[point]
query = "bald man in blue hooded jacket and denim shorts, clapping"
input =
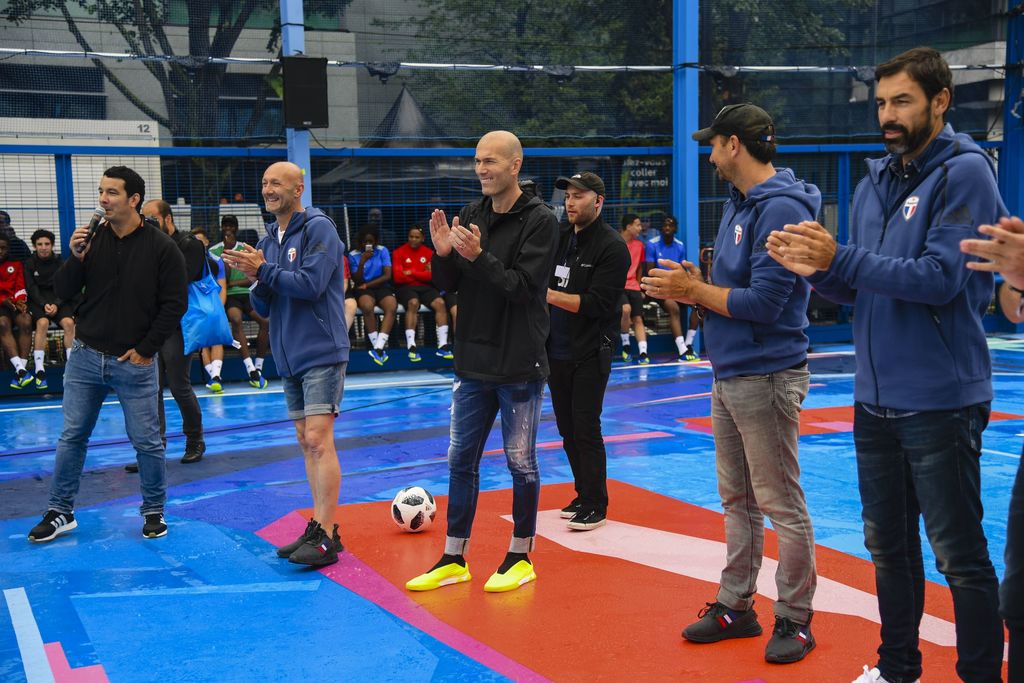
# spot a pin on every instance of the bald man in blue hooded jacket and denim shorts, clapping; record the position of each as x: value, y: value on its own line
x: 301, y: 286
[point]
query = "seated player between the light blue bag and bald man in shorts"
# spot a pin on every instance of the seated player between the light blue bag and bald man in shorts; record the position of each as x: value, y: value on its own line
x: 238, y: 307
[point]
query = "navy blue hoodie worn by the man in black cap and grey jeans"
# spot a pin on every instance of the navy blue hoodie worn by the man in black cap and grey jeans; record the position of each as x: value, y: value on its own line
x: 769, y: 305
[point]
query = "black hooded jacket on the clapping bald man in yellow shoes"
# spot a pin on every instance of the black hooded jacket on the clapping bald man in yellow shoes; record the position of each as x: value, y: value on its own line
x: 503, y: 310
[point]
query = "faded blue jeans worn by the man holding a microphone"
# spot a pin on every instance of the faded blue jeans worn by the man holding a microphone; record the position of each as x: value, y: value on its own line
x: 89, y: 376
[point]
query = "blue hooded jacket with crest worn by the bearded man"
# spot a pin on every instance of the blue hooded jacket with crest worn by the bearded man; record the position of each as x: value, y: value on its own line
x: 918, y: 311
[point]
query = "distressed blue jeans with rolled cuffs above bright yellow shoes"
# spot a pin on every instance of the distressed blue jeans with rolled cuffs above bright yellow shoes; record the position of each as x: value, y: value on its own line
x: 475, y: 406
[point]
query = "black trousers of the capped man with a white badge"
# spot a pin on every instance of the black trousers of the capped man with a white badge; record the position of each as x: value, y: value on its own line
x: 578, y: 397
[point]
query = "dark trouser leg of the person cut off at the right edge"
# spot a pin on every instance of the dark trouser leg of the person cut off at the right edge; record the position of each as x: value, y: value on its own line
x: 1012, y: 590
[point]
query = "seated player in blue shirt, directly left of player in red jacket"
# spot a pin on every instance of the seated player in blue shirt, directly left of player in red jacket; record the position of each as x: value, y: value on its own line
x: 371, y: 266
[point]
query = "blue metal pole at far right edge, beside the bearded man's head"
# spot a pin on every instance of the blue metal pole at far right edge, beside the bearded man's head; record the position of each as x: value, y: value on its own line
x: 1012, y: 155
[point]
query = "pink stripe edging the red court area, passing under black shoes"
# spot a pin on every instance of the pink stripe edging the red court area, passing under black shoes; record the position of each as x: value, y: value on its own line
x: 360, y: 578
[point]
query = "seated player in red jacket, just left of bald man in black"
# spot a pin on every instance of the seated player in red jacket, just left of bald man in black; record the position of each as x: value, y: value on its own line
x: 412, y: 277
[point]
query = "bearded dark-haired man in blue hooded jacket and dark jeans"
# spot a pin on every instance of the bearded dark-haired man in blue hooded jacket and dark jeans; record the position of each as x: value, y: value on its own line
x: 923, y: 390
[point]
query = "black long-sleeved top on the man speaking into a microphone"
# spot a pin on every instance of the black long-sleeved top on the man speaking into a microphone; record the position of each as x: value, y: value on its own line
x: 136, y: 290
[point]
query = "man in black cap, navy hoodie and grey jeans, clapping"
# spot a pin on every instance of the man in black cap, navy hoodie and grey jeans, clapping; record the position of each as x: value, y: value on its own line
x: 756, y: 313
